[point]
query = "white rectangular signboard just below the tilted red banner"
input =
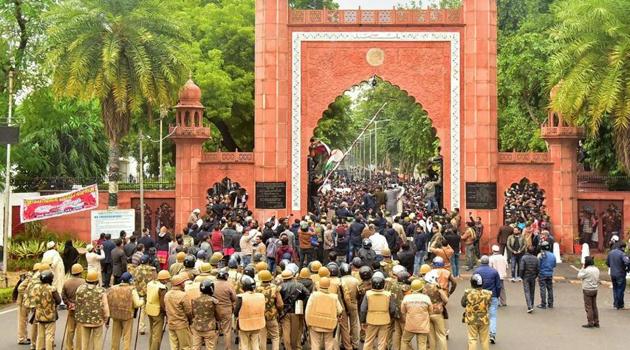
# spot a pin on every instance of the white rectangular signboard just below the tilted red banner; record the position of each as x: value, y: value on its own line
x: 112, y: 222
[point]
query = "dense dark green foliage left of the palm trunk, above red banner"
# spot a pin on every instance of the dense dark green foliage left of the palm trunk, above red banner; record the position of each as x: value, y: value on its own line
x: 60, y: 138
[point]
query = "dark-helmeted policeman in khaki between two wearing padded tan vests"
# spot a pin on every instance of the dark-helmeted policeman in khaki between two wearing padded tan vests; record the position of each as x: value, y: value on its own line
x: 349, y: 322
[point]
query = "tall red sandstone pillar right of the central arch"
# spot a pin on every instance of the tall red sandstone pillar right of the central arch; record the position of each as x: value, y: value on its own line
x: 479, y: 105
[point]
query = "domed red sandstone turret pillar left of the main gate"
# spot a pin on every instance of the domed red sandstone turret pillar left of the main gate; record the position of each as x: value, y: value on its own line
x: 188, y: 134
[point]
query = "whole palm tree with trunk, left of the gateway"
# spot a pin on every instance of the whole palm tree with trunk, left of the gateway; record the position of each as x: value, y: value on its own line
x: 124, y: 53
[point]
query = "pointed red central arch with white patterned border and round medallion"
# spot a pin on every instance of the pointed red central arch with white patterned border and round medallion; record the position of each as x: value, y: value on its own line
x: 425, y: 64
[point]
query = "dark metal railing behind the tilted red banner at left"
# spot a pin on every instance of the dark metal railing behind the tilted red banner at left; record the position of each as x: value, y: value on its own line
x: 63, y: 184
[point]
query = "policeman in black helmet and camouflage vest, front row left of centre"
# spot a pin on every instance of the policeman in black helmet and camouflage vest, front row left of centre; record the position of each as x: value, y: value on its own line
x: 204, y: 323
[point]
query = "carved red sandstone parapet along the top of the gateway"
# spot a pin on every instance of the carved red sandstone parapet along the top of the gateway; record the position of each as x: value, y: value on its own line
x: 376, y: 17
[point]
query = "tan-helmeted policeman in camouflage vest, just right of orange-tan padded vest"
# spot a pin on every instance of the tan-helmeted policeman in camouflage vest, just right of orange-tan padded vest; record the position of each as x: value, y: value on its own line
x: 273, y: 303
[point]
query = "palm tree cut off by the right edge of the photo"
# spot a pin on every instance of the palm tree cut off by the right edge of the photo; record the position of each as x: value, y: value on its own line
x: 592, y: 65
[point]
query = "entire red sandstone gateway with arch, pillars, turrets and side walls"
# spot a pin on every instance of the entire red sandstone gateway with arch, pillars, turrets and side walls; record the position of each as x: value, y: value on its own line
x: 445, y: 59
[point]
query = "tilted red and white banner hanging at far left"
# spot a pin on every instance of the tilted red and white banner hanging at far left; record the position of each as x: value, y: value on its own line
x: 45, y: 207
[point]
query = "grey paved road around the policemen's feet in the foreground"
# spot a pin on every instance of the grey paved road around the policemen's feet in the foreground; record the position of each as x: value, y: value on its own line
x: 559, y: 328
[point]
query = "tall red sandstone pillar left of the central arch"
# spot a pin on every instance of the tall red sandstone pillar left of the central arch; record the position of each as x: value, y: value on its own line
x: 272, y: 102
